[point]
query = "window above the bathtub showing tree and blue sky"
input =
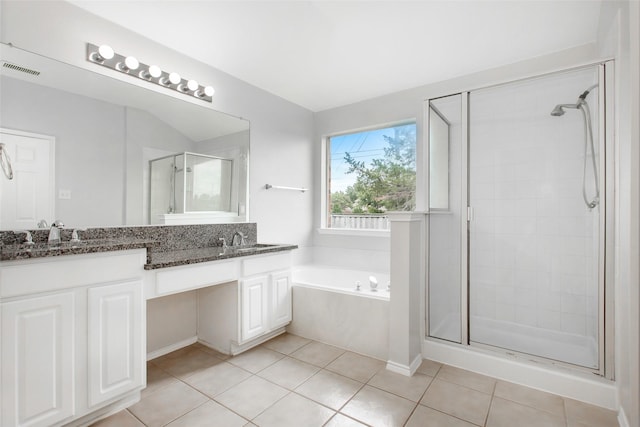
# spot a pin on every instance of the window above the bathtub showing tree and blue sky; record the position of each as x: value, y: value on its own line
x: 370, y: 173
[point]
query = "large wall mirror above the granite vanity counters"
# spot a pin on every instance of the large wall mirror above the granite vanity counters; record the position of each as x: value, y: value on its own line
x: 82, y: 145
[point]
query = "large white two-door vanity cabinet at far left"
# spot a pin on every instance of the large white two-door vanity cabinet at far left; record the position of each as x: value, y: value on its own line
x: 72, y: 337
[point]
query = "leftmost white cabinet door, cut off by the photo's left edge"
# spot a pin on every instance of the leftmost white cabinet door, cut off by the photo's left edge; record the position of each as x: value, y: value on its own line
x: 37, y: 360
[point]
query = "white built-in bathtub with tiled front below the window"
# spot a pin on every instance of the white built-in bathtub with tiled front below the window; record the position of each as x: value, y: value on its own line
x: 327, y: 307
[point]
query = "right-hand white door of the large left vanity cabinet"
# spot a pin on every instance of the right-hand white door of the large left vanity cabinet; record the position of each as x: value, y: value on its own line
x: 115, y: 339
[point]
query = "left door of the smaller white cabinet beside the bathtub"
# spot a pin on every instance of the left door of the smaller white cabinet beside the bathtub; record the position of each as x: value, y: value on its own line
x: 254, y: 306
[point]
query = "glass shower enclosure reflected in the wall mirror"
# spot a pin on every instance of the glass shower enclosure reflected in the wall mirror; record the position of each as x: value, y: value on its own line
x: 190, y: 183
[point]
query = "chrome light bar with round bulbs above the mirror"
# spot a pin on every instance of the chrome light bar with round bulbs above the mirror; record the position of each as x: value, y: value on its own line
x: 105, y: 56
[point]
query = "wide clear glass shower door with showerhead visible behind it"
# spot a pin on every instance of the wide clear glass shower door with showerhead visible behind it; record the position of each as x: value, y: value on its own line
x: 536, y: 196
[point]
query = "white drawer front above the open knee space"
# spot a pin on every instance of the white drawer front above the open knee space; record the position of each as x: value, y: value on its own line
x: 195, y: 276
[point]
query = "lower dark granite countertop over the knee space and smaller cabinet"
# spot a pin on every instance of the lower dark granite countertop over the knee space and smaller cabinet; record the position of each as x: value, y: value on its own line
x: 177, y: 257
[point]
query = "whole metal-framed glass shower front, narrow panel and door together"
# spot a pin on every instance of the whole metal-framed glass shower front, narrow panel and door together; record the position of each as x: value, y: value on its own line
x: 517, y: 230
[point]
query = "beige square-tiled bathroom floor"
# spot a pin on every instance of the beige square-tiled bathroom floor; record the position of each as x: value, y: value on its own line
x: 292, y: 381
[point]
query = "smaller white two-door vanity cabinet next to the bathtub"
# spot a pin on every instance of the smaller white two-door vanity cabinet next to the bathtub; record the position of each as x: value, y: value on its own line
x: 233, y: 318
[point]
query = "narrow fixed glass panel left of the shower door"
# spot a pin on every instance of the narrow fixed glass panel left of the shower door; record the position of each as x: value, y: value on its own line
x: 447, y: 211
